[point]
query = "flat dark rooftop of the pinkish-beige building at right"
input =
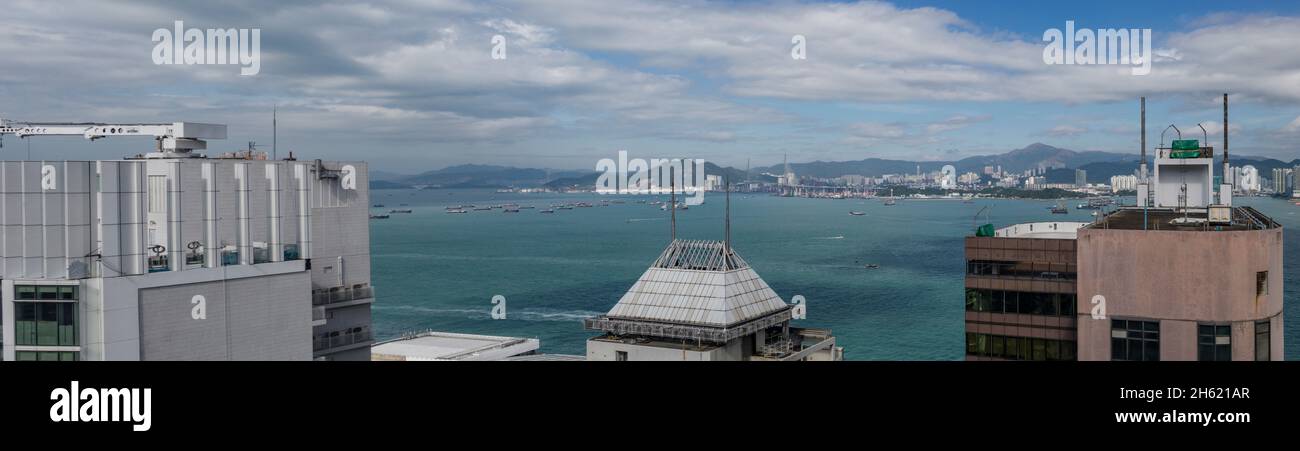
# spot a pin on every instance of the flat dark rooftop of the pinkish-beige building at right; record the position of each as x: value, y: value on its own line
x: 1186, y: 220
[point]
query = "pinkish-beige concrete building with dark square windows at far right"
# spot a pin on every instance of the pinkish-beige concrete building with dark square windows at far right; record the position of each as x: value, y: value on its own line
x: 1194, y: 292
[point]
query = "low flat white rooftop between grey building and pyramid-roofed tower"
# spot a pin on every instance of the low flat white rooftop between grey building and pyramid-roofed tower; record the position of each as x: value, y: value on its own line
x: 449, y: 346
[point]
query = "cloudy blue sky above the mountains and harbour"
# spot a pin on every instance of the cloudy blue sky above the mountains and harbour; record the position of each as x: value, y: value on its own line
x: 413, y: 85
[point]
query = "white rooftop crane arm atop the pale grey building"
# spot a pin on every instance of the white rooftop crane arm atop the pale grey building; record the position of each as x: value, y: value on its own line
x: 175, y: 140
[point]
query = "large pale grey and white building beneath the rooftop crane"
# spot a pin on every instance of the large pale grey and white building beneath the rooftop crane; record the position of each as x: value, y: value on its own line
x: 185, y: 259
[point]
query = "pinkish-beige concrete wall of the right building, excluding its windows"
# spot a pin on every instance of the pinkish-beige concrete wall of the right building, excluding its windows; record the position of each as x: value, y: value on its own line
x: 1180, y: 279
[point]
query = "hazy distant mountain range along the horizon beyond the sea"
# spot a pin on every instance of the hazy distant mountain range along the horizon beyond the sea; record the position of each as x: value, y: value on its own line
x: 1059, y: 162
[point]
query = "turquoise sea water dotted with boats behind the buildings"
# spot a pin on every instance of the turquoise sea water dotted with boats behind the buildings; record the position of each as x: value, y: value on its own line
x: 439, y: 271
